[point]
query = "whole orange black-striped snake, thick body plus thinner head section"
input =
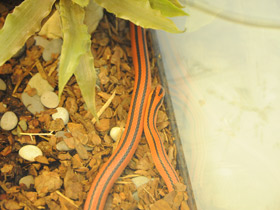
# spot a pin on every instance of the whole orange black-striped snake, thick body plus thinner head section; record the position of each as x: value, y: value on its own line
x: 141, y: 95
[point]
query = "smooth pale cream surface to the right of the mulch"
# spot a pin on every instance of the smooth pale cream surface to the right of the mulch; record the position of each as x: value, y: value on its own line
x: 224, y: 79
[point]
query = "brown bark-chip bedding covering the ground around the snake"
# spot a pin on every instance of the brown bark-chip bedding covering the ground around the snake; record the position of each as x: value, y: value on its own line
x: 63, y: 178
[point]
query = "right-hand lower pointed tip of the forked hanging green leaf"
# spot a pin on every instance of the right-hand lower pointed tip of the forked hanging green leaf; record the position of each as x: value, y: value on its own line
x: 86, y: 78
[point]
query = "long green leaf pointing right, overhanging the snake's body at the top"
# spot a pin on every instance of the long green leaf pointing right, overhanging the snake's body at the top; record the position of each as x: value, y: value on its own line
x: 139, y: 12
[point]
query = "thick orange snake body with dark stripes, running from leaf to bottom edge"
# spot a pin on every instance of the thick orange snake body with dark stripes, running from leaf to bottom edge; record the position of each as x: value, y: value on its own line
x: 112, y: 169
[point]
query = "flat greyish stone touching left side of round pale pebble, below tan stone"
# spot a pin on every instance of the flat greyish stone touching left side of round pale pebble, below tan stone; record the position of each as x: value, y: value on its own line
x: 32, y: 103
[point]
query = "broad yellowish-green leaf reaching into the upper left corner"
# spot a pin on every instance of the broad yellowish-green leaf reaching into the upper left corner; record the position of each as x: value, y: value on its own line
x: 20, y: 25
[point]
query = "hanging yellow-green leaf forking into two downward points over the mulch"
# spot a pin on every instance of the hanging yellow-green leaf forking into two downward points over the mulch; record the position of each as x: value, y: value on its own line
x: 76, y: 57
